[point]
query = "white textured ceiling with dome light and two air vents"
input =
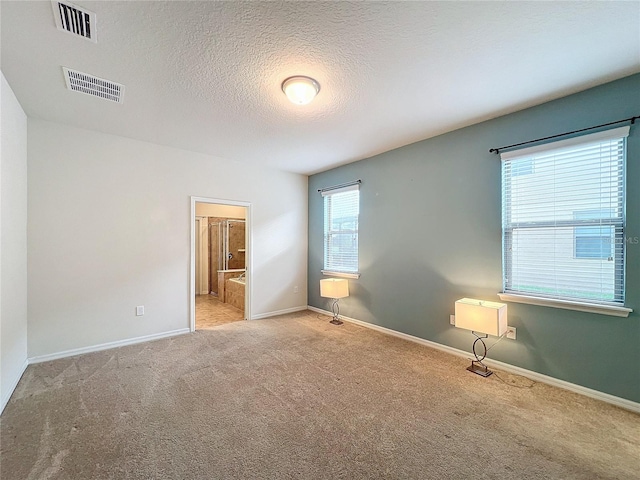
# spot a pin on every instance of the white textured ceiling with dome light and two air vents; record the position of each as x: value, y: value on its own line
x: 206, y: 76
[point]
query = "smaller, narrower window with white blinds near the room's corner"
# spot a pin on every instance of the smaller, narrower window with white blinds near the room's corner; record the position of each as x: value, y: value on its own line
x: 341, y: 209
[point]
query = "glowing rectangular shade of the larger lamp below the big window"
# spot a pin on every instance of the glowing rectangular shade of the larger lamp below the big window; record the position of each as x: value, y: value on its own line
x: 481, y: 316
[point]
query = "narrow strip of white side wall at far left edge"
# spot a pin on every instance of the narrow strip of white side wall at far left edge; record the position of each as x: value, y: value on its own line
x: 13, y: 242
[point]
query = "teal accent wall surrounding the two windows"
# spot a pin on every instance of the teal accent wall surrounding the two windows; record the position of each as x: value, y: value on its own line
x: 430, y: 233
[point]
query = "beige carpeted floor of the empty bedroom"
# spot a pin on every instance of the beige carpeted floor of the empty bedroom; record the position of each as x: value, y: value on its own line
x: 294, y: 397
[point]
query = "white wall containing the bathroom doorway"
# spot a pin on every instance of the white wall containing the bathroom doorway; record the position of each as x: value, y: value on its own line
x: 109, y: 229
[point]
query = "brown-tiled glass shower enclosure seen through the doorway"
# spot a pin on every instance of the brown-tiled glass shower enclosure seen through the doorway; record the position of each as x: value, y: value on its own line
x: 226, y: 247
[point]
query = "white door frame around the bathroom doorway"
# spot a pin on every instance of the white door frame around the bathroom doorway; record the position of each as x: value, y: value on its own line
x: 248, y: 256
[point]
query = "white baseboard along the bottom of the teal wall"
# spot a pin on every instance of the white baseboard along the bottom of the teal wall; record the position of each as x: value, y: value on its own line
x: 538, y: 377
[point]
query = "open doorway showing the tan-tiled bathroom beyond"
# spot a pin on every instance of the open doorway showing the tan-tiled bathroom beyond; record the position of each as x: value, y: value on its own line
x: 220, y: 262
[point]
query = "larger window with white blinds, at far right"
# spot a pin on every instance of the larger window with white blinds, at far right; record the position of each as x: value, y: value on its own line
x: 563, y: 219
